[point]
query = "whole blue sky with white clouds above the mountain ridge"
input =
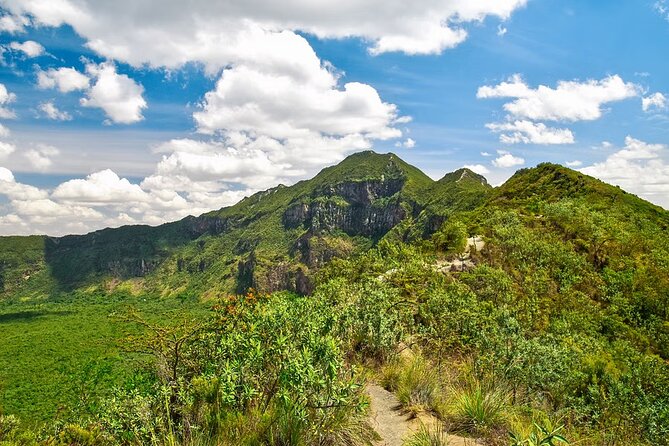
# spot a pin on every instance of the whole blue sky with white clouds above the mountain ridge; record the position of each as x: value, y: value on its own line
x: 129, y: 112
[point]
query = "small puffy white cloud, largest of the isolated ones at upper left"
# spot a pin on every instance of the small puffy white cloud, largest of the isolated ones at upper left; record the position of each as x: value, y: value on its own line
x: 119, y: 96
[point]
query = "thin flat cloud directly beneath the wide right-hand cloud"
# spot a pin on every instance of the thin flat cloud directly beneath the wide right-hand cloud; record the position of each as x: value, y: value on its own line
x: 528, y: 132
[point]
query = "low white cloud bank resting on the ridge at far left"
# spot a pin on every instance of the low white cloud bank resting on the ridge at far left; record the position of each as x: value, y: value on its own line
x: 103, y: 199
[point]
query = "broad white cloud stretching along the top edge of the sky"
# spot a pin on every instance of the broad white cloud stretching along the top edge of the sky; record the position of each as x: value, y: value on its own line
x: 206, y: 31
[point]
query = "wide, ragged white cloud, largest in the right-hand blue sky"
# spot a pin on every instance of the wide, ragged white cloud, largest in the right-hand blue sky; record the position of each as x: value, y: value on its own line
x: 569, y: 101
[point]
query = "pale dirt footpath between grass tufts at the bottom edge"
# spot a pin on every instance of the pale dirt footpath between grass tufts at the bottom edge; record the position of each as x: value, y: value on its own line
x: 394, y: 426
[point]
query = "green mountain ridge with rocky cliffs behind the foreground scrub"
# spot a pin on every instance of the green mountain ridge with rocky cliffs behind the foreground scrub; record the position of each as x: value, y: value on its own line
x: 276, y: 239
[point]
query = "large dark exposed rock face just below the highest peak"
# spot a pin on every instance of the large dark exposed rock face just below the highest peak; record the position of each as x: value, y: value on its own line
x: 367, y: 208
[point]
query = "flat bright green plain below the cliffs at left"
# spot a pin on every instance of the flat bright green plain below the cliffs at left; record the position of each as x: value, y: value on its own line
x: 61, y: 355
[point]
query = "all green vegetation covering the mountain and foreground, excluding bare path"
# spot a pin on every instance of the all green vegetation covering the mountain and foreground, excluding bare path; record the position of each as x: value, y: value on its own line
x: 262, y: 323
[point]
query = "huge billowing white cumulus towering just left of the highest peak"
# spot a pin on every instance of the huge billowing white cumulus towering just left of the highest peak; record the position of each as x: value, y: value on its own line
x: 280, y: 121
